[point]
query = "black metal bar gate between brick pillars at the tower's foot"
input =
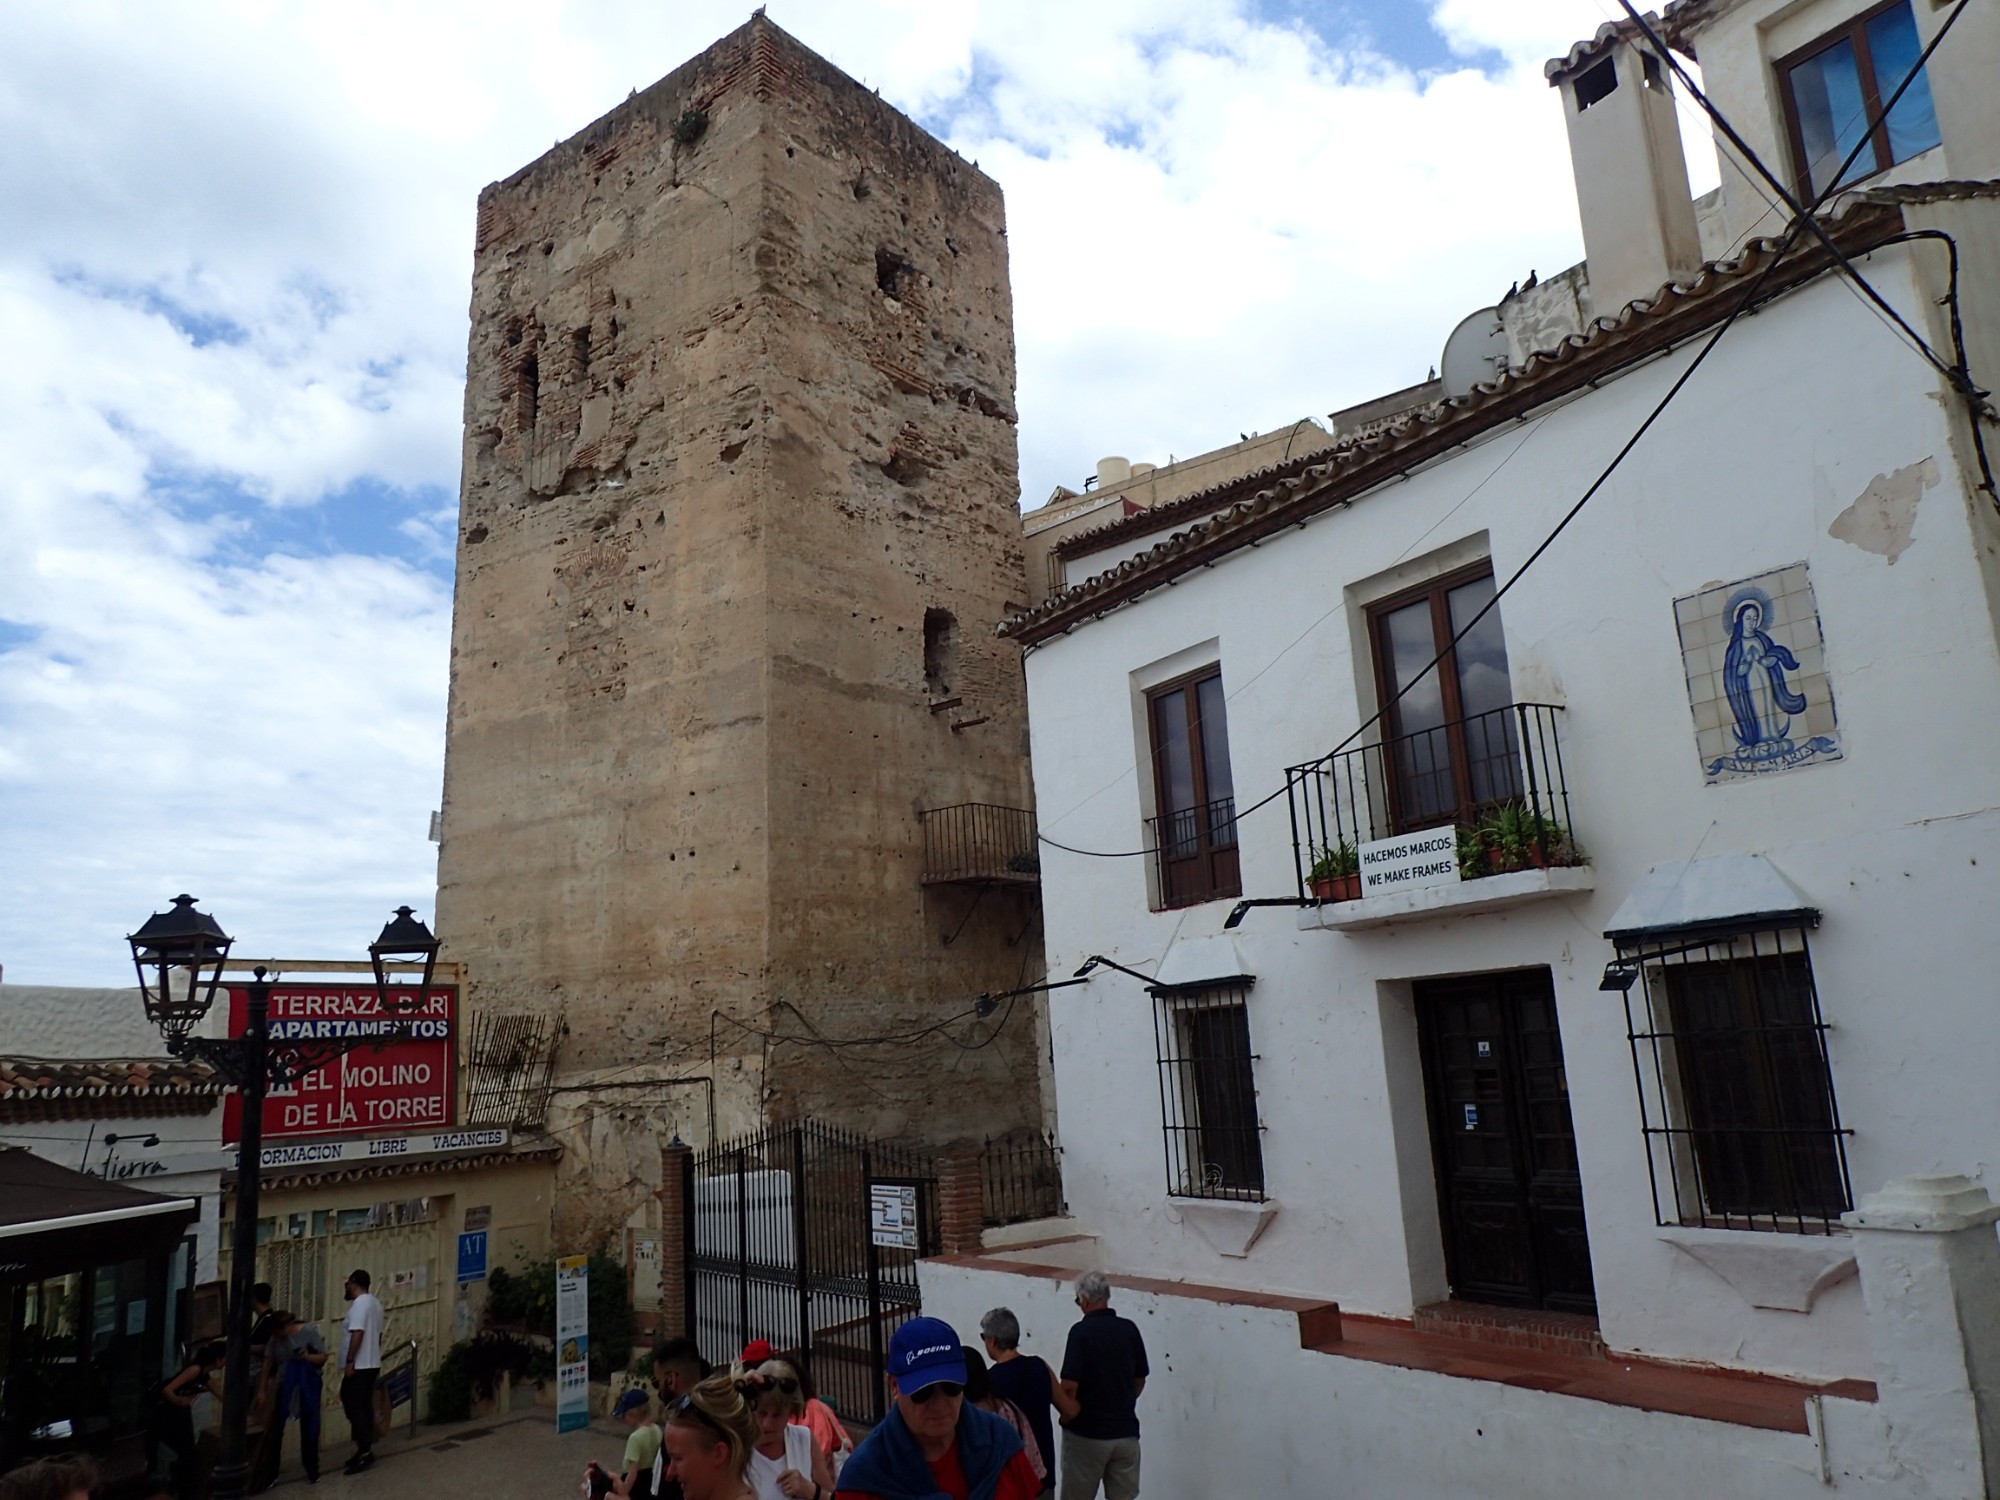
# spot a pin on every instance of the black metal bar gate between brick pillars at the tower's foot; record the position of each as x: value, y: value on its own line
x: 781, y: 1247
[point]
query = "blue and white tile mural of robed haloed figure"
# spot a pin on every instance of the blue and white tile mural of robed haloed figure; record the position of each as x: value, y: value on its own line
x: 1757, y: 677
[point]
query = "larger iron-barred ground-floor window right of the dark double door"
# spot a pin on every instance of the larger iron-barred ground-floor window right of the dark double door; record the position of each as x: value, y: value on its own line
x: 1737, y: 1095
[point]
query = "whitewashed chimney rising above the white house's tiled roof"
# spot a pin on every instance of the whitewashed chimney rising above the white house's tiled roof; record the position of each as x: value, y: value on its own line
x: 1631, y: 177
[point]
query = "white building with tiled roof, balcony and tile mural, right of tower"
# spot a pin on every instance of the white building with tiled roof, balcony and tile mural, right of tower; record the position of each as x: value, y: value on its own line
x: 1385, y: 1175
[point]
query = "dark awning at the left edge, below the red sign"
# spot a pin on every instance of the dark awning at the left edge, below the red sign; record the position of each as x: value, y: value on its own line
x: 55, y: 1221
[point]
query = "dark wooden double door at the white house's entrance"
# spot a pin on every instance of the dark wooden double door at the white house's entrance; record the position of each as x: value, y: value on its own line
x: 1509, y: 1189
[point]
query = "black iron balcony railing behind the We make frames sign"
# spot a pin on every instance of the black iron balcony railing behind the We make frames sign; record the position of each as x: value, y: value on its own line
x: 1497, y: 777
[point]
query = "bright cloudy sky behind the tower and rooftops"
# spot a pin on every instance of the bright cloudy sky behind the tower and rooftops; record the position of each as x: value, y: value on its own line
x: 235, y: 285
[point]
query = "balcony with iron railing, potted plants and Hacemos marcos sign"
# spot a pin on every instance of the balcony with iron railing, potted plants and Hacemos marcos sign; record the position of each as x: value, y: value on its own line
x: 1495, y: 781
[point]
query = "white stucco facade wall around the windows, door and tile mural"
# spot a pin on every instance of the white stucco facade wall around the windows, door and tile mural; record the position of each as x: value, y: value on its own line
x: 1899, y: 843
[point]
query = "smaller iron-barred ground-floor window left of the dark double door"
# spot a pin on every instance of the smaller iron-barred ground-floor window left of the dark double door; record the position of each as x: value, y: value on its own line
x: 1207, y: 1093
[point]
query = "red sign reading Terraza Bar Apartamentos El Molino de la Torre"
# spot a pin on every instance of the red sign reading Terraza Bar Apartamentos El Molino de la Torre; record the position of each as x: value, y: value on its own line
x: 371, y: 1091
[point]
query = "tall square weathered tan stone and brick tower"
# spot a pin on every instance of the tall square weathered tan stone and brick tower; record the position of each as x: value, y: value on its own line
x: 737, y: 525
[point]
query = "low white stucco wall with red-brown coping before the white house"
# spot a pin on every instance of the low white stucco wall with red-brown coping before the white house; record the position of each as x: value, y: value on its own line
x: 1235, y: 1407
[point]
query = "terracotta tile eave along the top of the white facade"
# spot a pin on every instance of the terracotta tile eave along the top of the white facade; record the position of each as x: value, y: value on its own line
x: 1351, y: 469
